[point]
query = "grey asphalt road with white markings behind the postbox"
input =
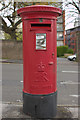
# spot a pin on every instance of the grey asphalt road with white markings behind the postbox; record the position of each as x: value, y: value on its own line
x: 67, y: 82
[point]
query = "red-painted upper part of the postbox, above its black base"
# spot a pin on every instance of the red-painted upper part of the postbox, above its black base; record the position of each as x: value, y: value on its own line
x: 39, y: 65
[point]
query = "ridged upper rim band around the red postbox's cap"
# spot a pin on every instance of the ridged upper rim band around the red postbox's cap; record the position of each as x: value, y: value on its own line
x: 39, y: 8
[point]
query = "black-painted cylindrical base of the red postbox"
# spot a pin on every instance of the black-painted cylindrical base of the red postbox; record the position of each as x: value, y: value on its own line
x: 40, y: 106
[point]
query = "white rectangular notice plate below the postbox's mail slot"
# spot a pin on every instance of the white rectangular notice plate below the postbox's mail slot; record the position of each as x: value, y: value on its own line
x: 40, y: 41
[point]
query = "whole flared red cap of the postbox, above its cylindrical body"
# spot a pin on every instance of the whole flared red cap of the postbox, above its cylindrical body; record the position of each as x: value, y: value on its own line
x: 39, y: 11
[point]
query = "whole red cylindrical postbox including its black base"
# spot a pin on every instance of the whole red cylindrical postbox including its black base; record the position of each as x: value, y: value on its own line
x: 39, y: 60
